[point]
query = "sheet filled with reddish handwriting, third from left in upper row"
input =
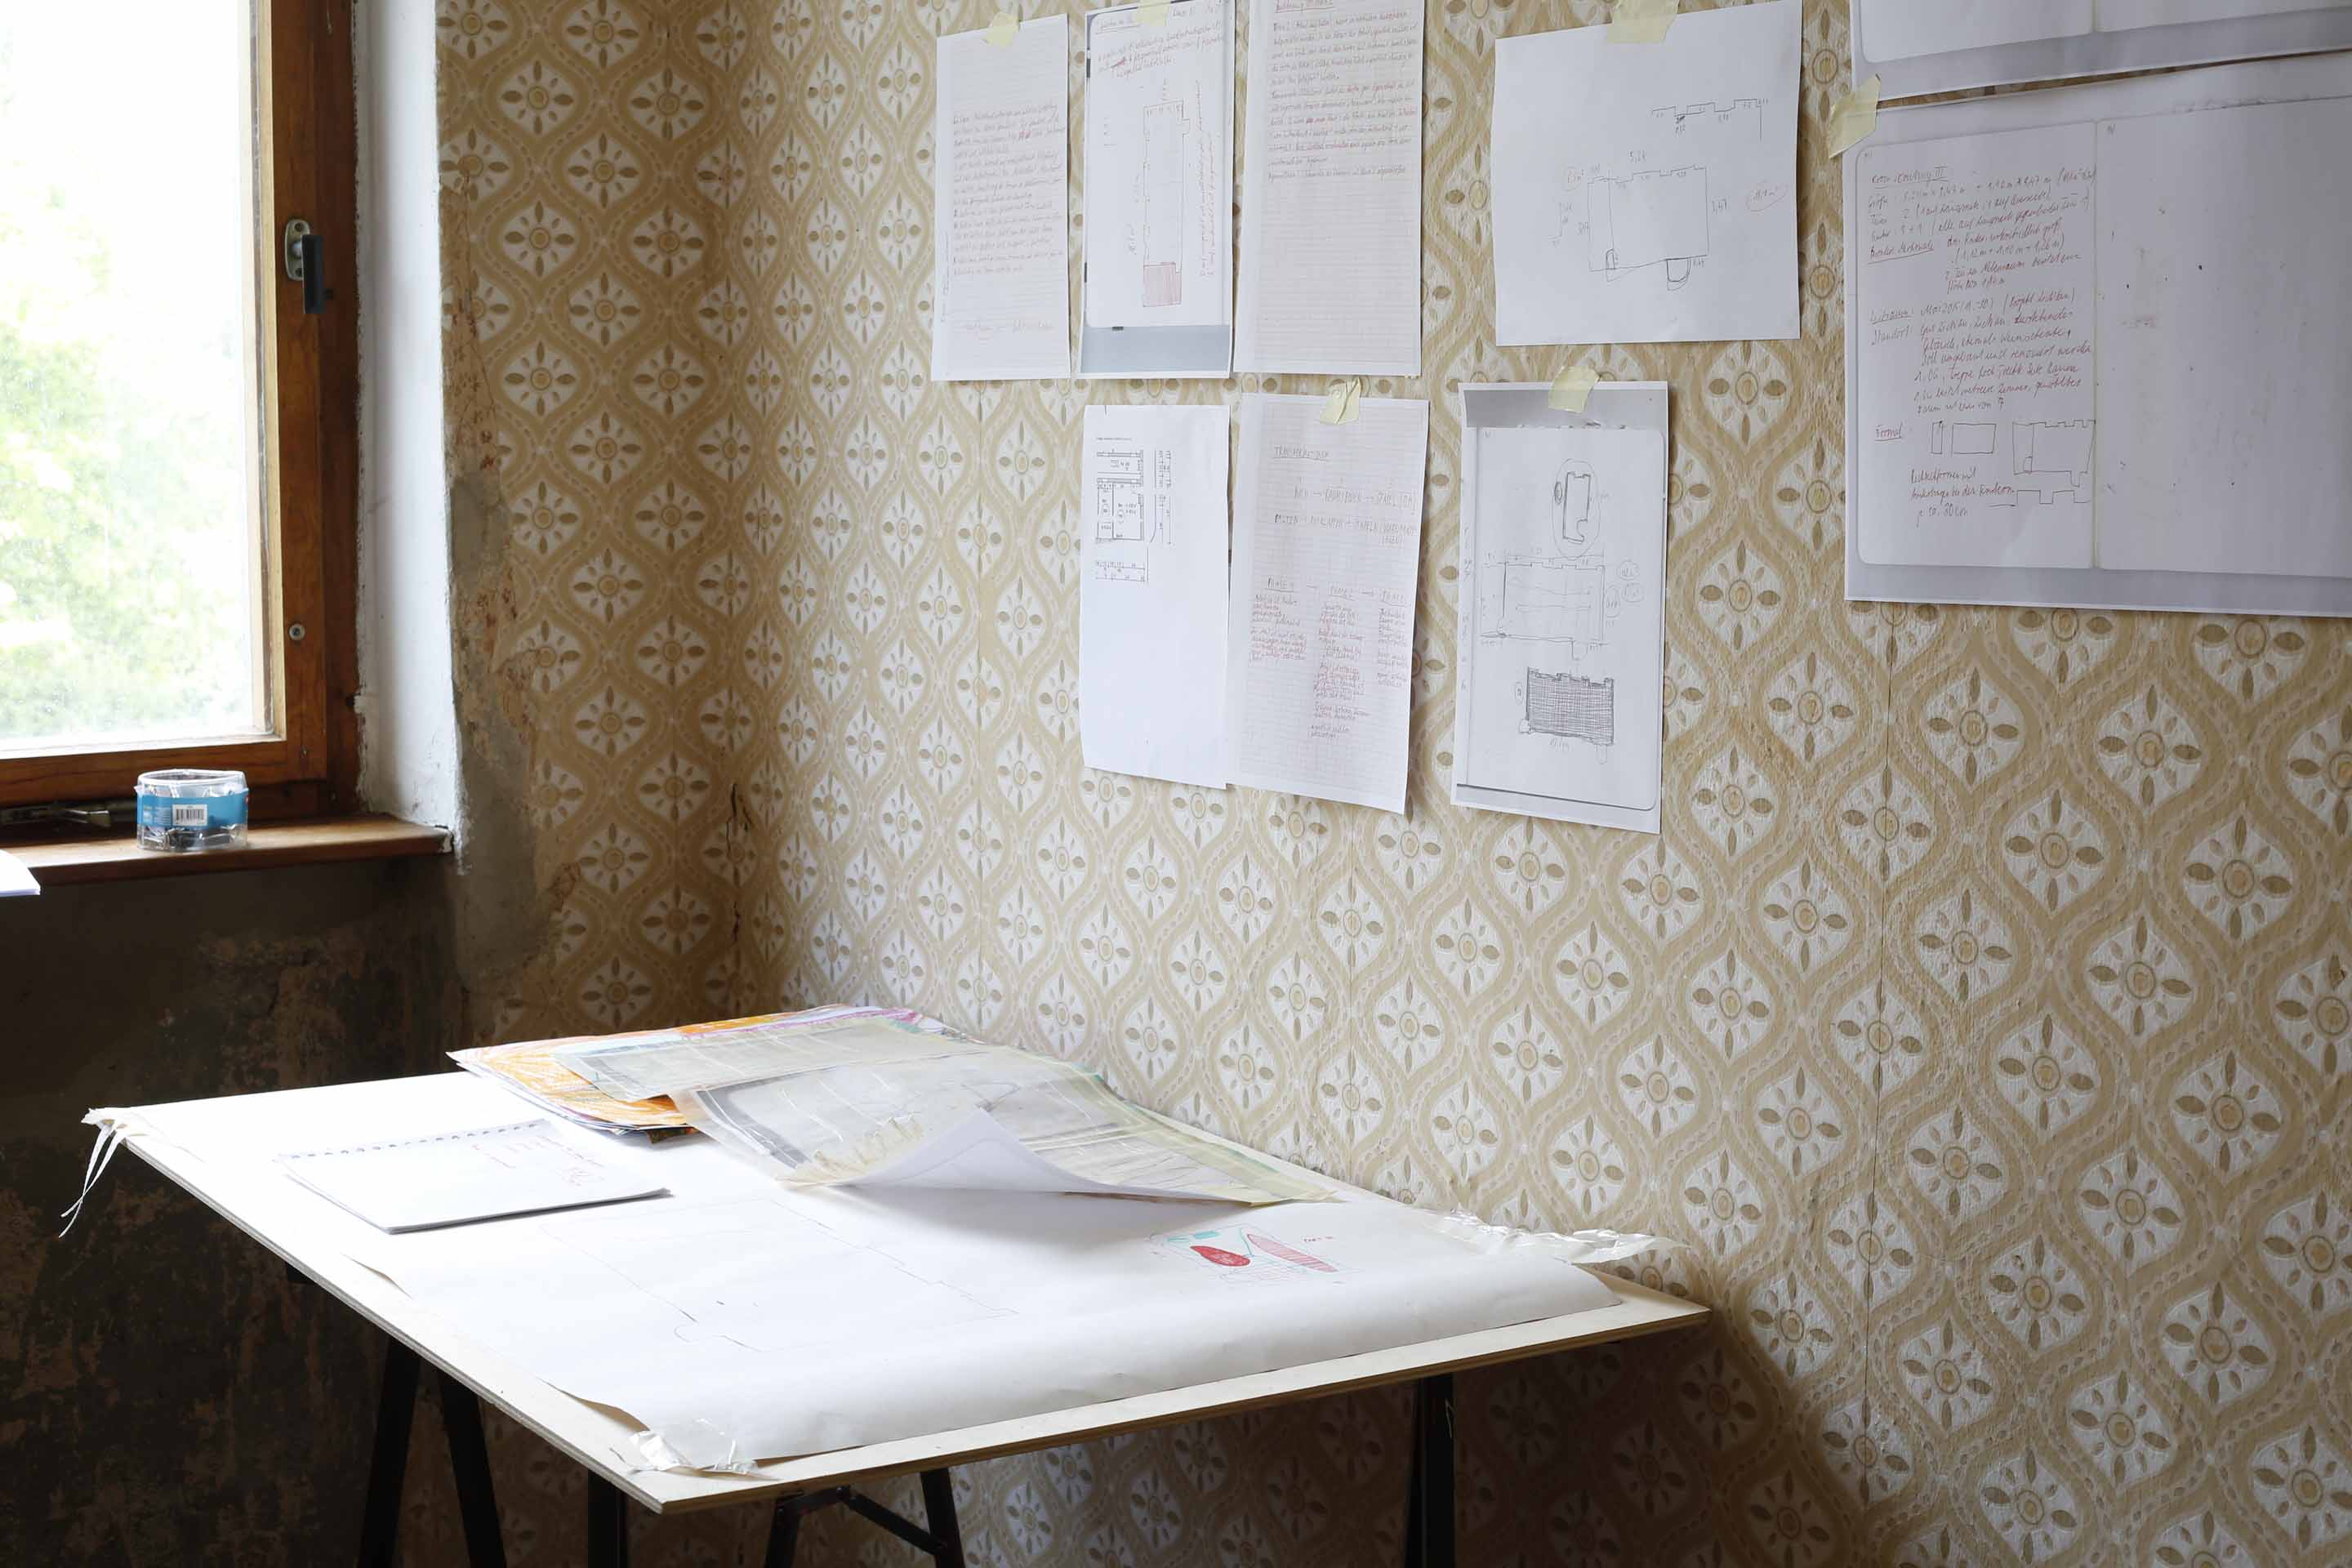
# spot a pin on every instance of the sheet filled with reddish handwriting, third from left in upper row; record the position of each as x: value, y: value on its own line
x: 1332, y: 217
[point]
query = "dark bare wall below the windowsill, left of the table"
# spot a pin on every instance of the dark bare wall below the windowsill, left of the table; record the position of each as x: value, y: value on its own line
x: 166, y: 1393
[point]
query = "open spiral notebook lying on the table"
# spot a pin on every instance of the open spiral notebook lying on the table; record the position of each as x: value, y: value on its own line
x: 457, y: 1179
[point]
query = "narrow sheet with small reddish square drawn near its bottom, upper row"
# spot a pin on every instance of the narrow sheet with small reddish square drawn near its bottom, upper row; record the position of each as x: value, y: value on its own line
x: 1161, y: 168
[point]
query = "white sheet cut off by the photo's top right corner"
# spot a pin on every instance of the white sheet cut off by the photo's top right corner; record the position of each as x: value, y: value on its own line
x: 1946, y: 46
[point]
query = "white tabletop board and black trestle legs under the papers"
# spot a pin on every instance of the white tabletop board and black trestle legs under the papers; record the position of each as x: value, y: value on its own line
x: 239, y: 1181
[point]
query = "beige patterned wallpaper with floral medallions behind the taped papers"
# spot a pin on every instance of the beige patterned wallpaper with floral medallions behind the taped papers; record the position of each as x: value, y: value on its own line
x: 1979, y: 1019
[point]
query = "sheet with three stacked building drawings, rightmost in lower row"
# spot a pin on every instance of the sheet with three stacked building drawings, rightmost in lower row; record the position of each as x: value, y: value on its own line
x: 1563, y: 626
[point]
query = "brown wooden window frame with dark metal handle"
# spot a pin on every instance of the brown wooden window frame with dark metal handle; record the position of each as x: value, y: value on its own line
x: 309, y: 763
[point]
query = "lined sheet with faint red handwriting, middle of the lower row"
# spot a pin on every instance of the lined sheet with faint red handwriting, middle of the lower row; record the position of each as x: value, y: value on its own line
x: 1325, y: 558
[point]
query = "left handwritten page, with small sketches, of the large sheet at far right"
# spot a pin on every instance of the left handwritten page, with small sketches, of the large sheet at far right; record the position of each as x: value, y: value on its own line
x: 1977, y: 382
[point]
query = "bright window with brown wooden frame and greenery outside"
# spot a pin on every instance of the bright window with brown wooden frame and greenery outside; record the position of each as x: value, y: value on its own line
x: 178, y: 431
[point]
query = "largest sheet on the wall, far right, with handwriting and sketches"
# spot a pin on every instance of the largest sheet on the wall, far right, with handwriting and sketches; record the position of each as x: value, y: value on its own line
x: 2099, y: 351
